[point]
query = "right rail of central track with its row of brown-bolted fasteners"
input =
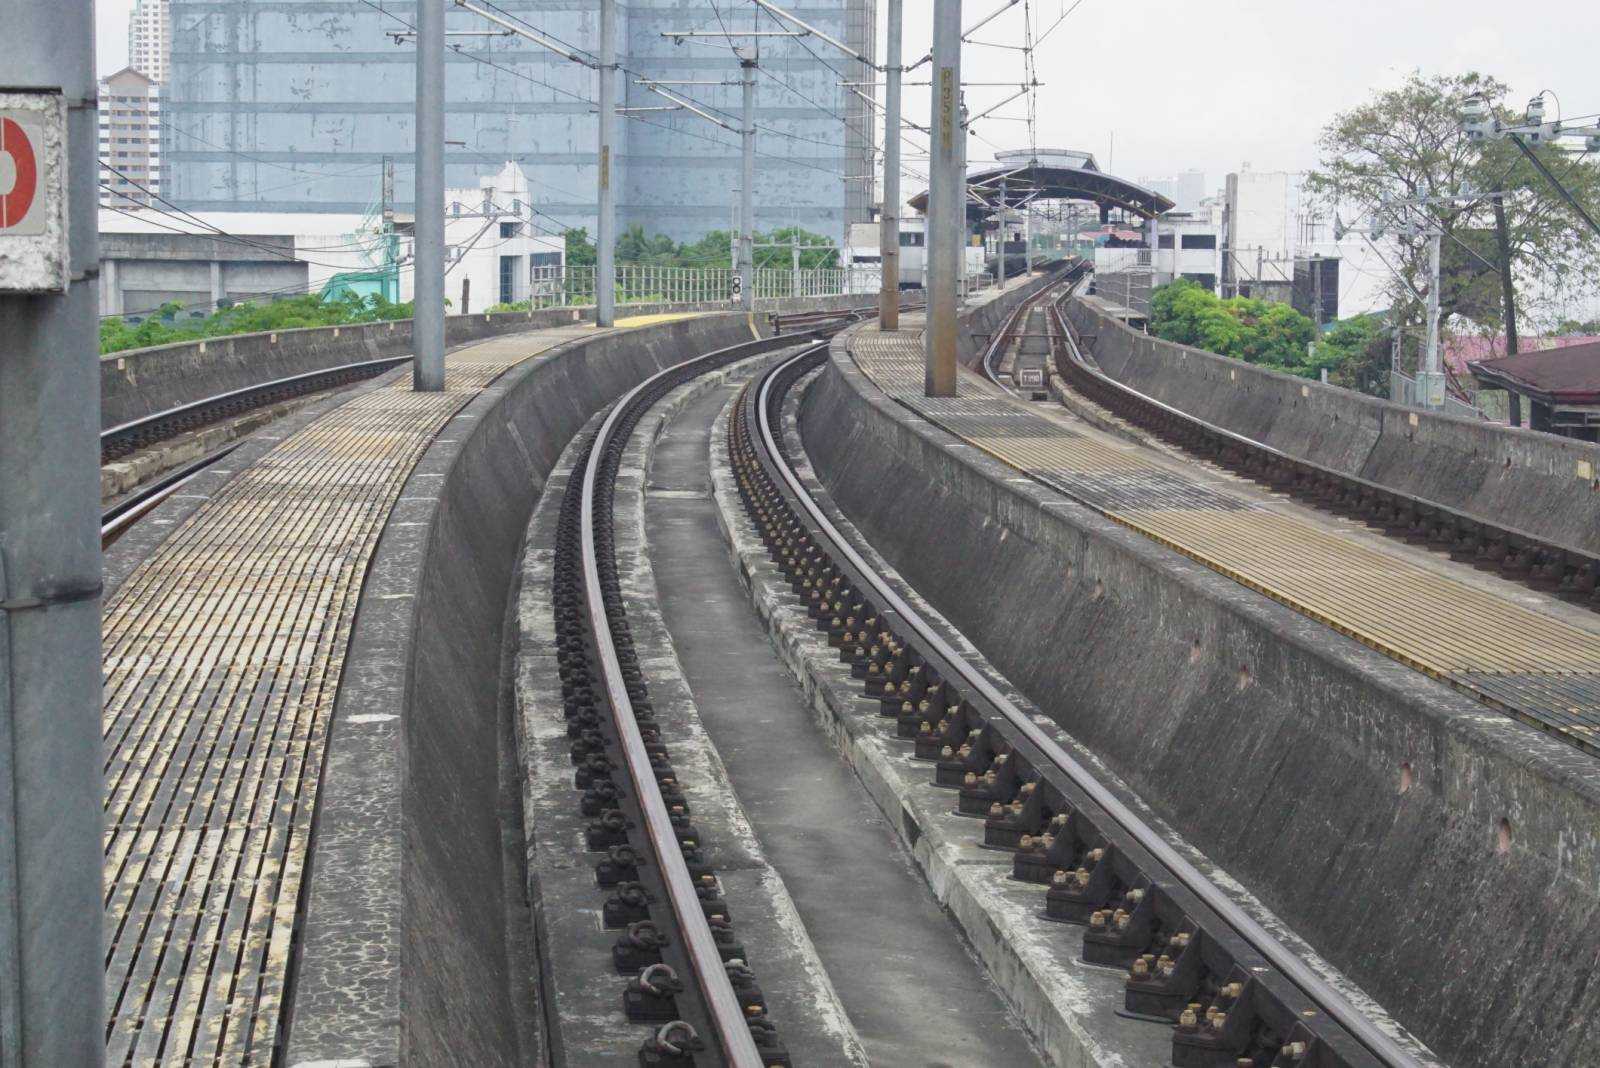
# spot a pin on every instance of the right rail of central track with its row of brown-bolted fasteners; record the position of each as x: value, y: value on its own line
x: 1193, y: 958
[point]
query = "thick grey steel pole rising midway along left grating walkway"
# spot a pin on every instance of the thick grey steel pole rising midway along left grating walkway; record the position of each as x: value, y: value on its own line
x: 428, y: 314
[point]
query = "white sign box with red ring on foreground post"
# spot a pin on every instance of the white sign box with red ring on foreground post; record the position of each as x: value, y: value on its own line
x: 33, y: 193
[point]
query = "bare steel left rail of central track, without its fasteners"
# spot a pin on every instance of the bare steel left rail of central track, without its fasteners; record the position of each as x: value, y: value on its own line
x: 722, y: 1003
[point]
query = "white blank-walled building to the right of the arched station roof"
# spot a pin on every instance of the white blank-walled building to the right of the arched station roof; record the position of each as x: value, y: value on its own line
x: 1258, y: 234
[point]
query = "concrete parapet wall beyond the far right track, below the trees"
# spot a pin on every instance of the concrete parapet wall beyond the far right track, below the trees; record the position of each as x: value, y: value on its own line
x: 1534, y: 482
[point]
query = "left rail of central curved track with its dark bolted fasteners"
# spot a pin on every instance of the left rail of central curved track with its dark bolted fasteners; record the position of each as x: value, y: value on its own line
x: 678, y: 944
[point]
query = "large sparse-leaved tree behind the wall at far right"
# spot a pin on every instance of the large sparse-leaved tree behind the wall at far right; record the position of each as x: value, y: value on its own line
x: 1409, y: 143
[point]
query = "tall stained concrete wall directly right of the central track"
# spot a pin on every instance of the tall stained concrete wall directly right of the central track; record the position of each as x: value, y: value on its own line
x: 1441, y: 855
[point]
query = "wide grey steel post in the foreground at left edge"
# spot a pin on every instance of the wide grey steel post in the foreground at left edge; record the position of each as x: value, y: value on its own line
x: 52, y: 787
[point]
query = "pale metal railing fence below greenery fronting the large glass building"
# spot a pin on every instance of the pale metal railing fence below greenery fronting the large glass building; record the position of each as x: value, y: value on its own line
x: 564, y: 287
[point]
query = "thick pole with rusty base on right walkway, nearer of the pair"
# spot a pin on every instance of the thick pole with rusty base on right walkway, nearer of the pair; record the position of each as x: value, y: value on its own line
x: 946, y: 202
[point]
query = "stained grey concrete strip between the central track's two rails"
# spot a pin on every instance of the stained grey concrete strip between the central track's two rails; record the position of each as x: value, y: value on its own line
x: 908, y: 981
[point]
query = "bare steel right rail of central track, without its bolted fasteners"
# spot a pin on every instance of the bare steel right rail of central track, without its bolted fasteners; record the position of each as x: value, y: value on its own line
x: 1332, y: 1002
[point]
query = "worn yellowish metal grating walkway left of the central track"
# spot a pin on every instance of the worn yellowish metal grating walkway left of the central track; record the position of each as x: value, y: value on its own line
x: 223, y: 655
